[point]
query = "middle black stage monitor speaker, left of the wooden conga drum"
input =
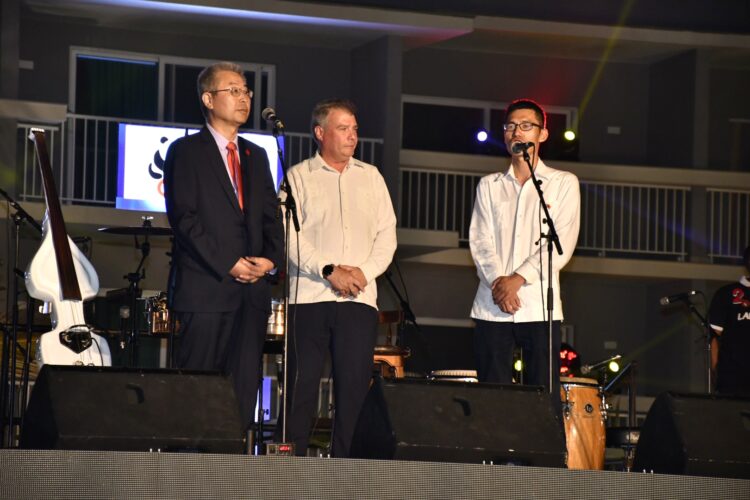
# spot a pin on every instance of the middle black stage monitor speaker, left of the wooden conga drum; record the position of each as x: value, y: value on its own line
x: 459, y: 422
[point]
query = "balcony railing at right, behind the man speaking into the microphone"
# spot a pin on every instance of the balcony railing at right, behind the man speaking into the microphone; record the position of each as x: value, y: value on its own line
x: 617, y: 219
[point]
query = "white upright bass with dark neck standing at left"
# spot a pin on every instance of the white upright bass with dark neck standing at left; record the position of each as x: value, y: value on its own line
x: 60, y: 275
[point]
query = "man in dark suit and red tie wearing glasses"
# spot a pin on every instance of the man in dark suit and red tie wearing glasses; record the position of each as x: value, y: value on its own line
x: 221, y: 204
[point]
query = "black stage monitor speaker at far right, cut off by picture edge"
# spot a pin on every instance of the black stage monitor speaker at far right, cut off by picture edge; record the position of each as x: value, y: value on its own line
x: 698, y: 435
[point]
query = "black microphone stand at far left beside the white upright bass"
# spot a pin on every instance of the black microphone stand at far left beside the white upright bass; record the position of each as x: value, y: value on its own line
x: 10, y: 346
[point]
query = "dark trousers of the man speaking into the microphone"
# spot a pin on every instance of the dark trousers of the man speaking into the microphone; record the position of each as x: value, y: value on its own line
x: 495, y: 341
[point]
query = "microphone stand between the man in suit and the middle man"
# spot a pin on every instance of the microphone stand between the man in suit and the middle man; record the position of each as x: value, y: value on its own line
x: 291, y: 212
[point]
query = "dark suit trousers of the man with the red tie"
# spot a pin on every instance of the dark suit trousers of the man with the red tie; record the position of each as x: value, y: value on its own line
x: 228, y: 342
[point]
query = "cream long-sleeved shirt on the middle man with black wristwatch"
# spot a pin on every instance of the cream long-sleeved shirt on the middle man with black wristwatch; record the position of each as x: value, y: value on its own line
x: 345, y: 218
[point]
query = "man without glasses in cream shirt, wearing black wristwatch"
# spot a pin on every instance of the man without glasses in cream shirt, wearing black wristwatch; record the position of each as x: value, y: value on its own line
x: 347, y: 239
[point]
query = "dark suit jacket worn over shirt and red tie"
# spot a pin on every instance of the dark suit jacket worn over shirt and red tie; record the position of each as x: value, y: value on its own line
x: 210, y: 230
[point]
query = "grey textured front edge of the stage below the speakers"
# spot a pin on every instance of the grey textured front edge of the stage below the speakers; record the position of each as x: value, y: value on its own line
x: 26, y: 474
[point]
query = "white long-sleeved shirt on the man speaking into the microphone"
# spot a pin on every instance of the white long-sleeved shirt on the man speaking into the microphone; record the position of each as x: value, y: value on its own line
x: 505, y: 229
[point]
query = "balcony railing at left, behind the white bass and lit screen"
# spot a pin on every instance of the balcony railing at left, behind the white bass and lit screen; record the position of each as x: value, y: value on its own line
x: 84, y: 156
